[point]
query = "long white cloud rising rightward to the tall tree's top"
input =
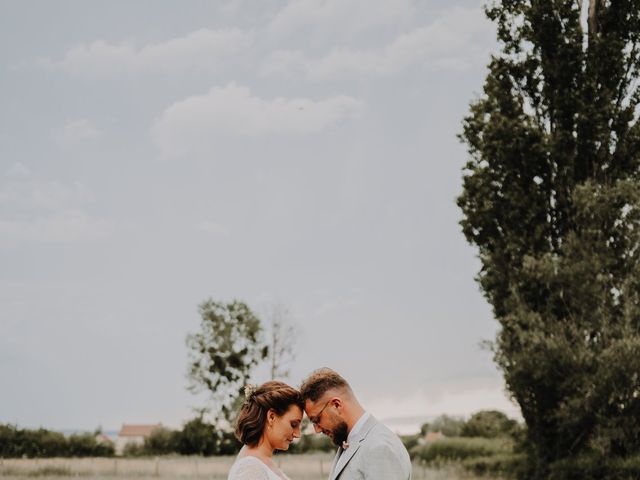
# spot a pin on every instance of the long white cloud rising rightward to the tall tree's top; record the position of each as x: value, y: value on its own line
x: 456, y: 40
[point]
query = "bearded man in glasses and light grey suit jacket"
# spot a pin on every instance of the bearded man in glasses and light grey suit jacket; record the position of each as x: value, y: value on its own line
x: 368, y: 450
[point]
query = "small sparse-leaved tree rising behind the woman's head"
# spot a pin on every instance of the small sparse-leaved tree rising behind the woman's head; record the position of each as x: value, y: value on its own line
x: 224, y: 352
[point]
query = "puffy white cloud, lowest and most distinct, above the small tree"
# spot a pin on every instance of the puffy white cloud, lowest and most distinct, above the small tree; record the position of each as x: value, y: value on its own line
x: 198, y: 122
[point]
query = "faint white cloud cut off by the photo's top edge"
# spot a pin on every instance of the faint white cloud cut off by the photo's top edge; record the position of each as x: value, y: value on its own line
x: 331, y: 17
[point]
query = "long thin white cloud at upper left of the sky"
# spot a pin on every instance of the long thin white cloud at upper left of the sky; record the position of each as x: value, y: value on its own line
x: 199, y: 50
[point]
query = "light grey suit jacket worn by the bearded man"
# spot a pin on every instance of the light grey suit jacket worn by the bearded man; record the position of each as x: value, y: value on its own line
x: 375, y: 454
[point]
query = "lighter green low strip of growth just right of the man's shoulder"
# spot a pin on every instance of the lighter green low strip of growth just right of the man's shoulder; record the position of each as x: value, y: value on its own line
x: 456, y: 449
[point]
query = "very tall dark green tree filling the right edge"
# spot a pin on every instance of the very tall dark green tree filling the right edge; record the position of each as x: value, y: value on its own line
x: 551, y: 200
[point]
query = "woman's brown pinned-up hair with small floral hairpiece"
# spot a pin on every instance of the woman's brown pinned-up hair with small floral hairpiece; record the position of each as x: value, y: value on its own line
x: 276, y: 396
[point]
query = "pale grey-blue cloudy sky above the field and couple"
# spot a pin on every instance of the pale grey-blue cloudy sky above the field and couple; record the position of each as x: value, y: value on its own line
x: 155, y: 154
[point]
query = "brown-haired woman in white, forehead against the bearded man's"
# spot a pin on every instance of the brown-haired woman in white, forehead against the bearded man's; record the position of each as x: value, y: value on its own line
x: 269, y: 420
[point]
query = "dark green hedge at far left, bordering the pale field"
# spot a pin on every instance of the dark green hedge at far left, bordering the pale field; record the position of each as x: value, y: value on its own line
x: 16, y: 443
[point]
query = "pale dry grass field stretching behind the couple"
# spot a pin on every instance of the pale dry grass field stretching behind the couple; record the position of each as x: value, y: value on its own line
x: 297, y: 467
